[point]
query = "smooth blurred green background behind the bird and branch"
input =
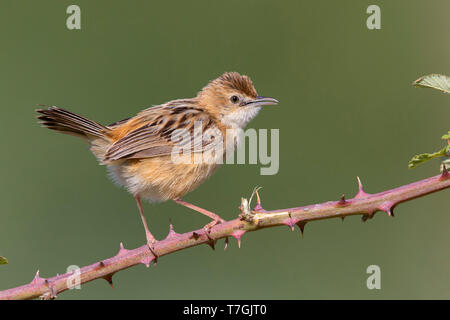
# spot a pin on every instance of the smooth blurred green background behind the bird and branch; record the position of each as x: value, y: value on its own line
x: 347, y: 108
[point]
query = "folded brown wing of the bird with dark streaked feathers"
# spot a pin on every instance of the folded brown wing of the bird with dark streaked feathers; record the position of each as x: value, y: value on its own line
x: 159, y: 134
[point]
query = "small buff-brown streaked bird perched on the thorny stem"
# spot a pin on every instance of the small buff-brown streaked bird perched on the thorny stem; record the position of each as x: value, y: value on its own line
x: 138, y: 150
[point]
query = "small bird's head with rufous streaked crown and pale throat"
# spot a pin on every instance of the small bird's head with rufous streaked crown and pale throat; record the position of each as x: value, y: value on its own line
x: 232, y: 99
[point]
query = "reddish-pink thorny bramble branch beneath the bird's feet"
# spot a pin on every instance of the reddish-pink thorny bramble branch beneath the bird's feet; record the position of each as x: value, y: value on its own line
x: 249, y: 220
